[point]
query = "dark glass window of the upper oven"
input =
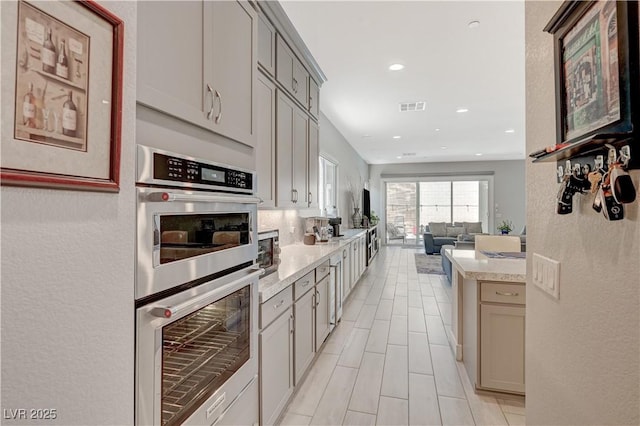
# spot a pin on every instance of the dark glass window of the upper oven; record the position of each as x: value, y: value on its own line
x: 188, y: 235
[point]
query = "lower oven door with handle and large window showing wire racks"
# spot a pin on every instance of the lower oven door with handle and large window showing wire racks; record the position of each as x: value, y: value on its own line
x: 196, y: 351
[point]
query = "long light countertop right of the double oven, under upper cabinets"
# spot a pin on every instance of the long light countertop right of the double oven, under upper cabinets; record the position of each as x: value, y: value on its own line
x: 298, y: 259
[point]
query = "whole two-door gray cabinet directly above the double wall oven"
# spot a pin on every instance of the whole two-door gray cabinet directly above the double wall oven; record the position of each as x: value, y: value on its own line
x: 197, y: 61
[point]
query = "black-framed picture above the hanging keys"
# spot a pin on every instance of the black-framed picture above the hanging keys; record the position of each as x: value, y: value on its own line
x: 596, y: 62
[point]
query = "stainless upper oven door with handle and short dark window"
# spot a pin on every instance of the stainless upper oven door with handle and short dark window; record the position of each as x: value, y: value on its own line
x: 186, y: 235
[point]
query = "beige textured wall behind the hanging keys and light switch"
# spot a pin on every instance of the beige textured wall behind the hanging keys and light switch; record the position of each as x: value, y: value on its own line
x: 582, y: 351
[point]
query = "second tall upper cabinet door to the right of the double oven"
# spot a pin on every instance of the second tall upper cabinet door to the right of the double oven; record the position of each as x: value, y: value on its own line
x: 284, y: 151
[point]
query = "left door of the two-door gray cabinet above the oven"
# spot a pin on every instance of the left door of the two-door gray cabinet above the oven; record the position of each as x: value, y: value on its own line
x: 169, y: 75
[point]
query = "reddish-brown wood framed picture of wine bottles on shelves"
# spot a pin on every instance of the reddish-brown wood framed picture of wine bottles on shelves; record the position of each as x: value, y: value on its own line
x: 65, y: 76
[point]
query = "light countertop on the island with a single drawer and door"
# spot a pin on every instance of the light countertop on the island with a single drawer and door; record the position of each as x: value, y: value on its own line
x: 476, y: 266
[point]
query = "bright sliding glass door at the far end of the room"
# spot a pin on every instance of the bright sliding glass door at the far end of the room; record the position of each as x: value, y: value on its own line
x: 412, y: 205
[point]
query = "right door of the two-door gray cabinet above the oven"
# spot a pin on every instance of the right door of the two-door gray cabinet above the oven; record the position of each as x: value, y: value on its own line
x: 230, y: 65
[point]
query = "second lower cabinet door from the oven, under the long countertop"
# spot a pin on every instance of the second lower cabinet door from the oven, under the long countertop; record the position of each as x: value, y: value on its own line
x: 303, y: 335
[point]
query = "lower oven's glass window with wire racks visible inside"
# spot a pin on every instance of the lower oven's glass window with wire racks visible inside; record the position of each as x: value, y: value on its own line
x: 201, y: 351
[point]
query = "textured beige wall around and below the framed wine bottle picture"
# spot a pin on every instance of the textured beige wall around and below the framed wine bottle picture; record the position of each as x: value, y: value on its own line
x: 67, y: 280
